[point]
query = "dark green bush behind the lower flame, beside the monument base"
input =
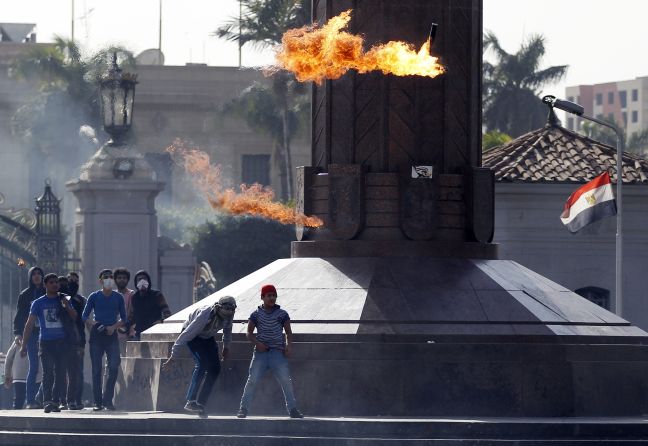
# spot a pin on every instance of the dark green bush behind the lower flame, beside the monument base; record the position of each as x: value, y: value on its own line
x: 237, y: 246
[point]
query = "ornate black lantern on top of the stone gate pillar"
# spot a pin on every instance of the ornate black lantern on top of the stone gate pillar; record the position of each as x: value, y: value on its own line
x: 117, y: 92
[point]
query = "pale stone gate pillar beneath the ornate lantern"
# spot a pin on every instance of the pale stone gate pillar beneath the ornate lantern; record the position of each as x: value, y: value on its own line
x: 116, y: 223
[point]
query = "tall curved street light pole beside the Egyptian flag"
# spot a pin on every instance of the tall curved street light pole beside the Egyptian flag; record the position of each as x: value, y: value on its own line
x: 579, y: 110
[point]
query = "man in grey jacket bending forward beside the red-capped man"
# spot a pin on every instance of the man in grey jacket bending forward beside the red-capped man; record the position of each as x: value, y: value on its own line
x: 198, y: 333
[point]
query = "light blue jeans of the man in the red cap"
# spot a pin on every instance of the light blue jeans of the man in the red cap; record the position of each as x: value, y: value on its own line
x: 274, y: 360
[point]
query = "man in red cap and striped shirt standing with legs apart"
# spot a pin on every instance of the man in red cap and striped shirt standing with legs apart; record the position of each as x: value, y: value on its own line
x: 271, y: 349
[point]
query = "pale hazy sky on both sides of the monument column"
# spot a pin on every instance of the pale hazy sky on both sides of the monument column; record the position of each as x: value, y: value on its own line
x: 600, y: 40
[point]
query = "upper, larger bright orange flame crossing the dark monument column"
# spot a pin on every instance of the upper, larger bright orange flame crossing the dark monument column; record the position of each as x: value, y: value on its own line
x: 328, y: 52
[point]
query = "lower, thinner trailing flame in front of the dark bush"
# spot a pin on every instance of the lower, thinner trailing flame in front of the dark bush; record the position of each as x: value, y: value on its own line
x: 249, y: 200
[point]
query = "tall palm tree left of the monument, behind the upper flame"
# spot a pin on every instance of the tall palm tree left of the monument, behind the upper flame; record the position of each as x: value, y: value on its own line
x: 263, y: 24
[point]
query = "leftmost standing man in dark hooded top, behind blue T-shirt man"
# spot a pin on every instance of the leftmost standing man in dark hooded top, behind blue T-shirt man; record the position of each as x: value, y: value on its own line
x: 25, y: 299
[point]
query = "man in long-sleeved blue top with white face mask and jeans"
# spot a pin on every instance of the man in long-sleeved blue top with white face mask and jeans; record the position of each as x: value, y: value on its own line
x: 108, y: 307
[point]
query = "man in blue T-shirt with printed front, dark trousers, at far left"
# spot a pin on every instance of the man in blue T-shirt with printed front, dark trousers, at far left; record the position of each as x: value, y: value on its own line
x: 52, y: 346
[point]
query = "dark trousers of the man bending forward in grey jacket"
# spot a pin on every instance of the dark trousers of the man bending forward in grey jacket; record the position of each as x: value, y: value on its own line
x: 205, y: 354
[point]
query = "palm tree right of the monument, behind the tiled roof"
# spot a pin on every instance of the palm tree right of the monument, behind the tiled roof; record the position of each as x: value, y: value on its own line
x: 511, y: 86
